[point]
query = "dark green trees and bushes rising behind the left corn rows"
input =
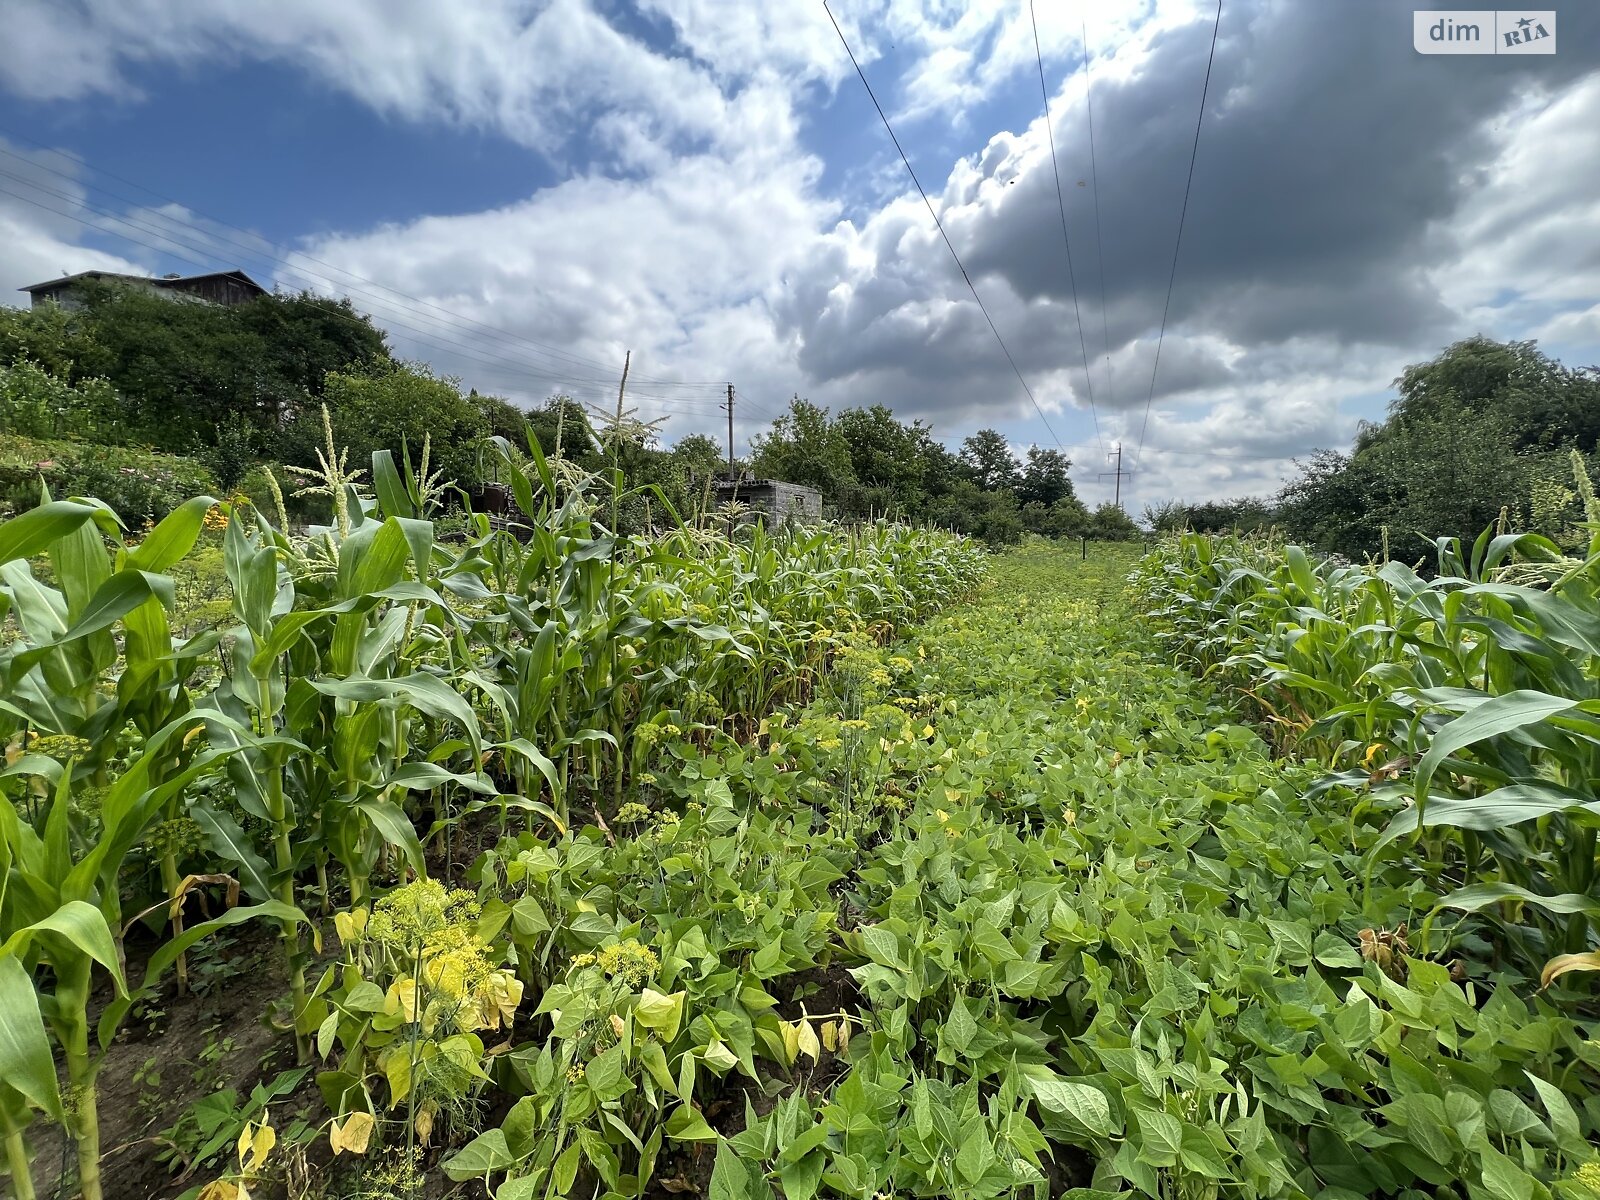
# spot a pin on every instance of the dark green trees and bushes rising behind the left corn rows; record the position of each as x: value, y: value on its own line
x: 143, y: 401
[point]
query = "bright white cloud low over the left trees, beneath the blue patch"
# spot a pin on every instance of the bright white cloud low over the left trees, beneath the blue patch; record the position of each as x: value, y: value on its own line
x: 604, y: 266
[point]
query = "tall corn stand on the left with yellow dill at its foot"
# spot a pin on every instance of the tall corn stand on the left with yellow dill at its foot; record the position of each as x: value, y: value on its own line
x: 370, y: 676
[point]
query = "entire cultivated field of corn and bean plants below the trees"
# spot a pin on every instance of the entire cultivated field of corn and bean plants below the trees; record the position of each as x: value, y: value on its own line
x: 844, y: 863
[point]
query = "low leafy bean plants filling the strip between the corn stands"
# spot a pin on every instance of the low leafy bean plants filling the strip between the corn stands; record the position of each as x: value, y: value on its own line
x: 1082, y: 932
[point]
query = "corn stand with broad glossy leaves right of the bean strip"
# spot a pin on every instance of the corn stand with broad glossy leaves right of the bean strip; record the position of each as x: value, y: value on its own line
x: 1455, y: 710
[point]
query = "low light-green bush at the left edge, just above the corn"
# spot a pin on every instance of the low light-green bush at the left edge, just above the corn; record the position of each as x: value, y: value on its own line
x: 140, y: 486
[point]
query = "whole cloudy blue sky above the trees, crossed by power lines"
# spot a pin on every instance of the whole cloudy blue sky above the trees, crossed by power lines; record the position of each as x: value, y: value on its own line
x: 521, y: 191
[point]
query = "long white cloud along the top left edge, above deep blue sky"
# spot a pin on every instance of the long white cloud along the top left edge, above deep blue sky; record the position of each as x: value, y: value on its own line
x: 537, y: 73
